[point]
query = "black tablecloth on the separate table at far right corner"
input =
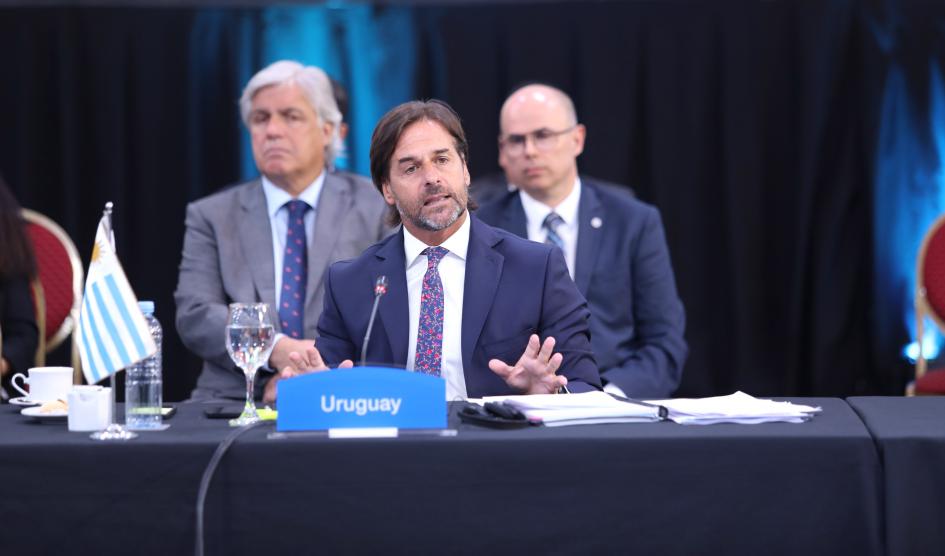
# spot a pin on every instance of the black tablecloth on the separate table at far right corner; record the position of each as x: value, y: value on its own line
x: 910, y: 434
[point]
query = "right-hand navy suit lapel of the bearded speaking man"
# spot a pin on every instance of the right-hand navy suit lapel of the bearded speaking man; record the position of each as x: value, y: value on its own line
x: 483, y: 270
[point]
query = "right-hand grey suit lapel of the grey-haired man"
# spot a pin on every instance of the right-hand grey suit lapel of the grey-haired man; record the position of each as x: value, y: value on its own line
x: 333, y: 204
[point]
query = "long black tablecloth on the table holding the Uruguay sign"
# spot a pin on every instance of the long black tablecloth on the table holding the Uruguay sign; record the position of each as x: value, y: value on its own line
x: 809, y: 488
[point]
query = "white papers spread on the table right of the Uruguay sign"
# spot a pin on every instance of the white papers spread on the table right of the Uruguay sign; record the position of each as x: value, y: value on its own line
x: 598, y: 407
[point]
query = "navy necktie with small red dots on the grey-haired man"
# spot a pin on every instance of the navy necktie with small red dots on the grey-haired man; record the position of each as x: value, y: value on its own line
x: 294, y: 271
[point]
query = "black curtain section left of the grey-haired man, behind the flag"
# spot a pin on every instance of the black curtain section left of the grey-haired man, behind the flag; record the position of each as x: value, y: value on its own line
x: 129, y: 106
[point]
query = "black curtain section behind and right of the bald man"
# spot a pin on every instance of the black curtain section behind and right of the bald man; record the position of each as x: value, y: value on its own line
x: 746, y: 123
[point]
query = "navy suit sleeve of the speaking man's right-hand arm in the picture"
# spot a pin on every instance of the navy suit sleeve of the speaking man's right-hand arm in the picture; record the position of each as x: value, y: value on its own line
x: 565, y: 317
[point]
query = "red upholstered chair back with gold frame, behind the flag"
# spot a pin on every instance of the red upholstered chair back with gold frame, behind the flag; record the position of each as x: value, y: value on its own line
x: 60, y: 276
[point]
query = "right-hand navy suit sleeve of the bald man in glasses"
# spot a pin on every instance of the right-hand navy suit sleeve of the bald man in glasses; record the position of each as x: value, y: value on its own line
x: 653, y: 368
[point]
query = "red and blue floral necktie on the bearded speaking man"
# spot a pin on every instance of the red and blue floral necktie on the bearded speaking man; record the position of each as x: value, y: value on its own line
x: 430, y: 331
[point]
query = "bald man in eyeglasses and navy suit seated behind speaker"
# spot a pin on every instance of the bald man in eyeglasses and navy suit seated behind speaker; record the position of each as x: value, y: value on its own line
x: 613, y: 244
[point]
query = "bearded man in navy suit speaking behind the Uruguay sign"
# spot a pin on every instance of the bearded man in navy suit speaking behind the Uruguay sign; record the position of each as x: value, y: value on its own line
x: 489, y: 312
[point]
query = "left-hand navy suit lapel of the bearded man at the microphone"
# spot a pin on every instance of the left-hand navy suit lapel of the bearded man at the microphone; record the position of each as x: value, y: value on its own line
x: 393, y: 310
